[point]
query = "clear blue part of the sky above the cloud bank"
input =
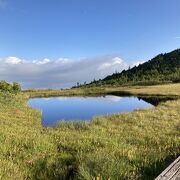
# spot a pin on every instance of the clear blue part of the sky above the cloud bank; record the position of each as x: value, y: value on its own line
x: 135, y: 30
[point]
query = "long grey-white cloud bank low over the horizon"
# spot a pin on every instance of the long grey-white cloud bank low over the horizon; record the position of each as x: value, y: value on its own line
x: 59, y: 73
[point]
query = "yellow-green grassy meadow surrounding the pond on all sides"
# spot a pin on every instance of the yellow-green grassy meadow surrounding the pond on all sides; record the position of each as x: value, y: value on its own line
x: 136, y: 145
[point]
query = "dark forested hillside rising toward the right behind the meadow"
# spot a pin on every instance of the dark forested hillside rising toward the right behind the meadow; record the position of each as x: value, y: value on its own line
x: 163, y: 68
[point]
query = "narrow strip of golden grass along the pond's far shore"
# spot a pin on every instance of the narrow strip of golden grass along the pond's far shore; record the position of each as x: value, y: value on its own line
x: 155, y: 90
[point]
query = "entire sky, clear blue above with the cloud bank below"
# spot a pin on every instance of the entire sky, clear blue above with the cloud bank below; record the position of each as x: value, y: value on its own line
x: 54, y: 44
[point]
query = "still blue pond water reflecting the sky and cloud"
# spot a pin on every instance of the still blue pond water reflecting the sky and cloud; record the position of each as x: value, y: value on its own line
x: 56, y: 109
